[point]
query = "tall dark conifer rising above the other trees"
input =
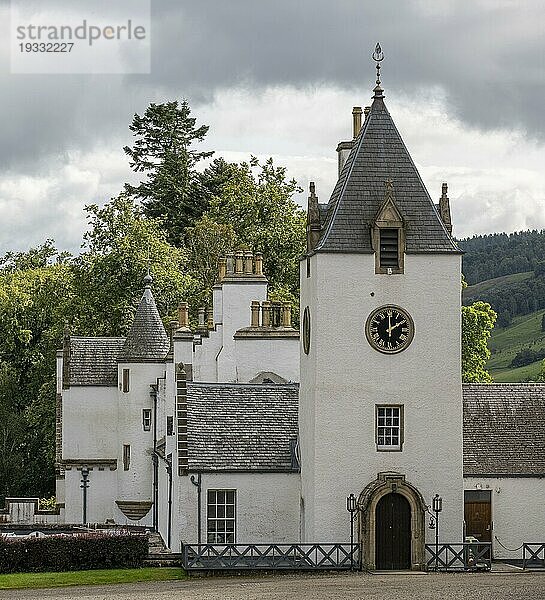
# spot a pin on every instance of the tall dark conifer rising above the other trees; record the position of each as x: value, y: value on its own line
x: 163, y: 151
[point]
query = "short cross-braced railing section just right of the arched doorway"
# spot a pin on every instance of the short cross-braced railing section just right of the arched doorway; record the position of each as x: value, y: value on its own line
x: 459, y: 557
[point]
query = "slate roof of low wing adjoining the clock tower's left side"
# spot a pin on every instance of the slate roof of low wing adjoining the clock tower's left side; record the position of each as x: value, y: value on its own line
x: 241, y: 427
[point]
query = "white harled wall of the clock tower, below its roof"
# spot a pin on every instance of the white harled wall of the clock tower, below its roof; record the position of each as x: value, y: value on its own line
x: 343, y: 379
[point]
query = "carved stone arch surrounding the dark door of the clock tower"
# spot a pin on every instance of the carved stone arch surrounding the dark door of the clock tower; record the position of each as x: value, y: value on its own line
x: 387, y: 483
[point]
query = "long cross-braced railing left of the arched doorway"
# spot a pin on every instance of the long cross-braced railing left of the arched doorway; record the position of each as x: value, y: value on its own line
x: 304, y: 557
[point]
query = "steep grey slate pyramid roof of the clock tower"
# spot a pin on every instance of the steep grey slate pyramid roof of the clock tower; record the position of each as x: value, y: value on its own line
x: 379, y: 154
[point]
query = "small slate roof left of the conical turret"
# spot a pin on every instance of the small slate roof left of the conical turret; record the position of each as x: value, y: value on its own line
x: 93, y: 361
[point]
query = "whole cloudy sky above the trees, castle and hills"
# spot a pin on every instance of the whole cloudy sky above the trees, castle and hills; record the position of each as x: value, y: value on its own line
x: 464, y: 82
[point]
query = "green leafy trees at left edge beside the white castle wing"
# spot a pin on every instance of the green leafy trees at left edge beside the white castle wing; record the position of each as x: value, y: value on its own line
x: 32, y: 302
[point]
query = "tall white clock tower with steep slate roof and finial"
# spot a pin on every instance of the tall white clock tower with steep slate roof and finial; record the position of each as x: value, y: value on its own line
x: 381, y: 398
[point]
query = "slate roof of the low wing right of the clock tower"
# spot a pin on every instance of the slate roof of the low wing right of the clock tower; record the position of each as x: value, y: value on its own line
x: 504, y: 429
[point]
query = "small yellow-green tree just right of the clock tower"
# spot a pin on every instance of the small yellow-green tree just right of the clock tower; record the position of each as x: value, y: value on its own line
x: 477, y: 323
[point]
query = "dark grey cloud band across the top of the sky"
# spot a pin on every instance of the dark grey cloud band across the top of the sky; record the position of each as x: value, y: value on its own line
x: 488, y: 56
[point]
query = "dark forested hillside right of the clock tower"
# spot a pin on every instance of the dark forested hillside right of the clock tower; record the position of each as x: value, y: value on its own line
x: 506, y: 270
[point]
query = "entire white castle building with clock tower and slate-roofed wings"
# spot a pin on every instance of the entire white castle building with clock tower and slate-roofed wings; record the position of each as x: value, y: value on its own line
x: 240, y: 432
